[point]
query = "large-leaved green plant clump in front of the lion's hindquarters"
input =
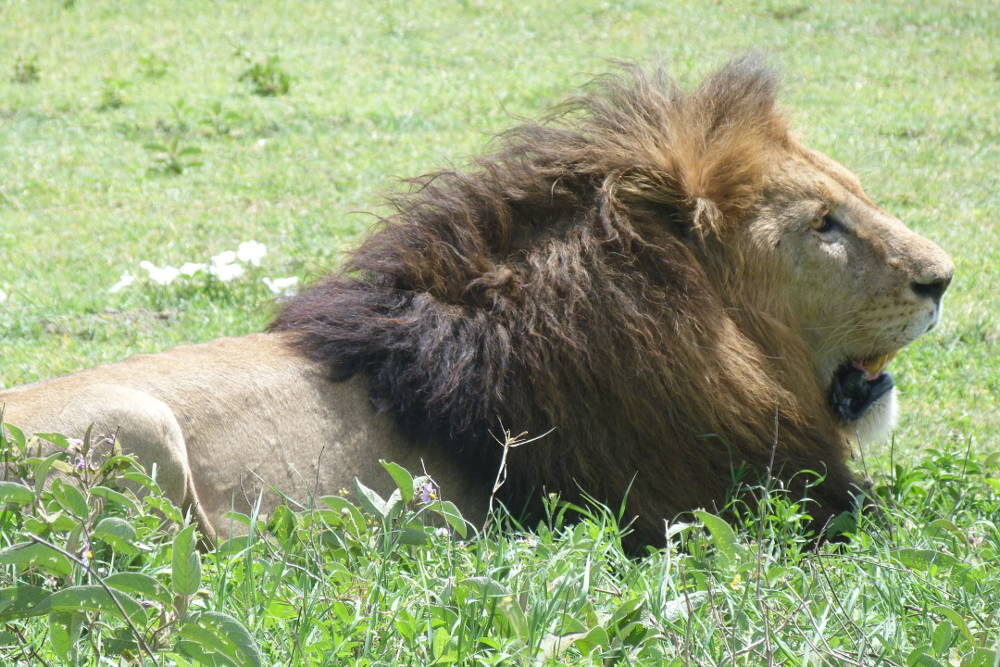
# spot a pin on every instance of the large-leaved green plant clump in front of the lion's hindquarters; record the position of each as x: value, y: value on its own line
x: 89, y: 553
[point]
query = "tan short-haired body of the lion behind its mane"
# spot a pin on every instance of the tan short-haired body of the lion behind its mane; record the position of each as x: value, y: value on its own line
x: 228, y: 419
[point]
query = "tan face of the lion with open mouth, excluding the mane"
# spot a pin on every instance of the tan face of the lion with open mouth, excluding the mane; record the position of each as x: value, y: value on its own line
x: 858, y: 284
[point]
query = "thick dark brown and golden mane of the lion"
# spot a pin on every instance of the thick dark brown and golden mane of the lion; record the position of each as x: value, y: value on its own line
x: 576, y: 281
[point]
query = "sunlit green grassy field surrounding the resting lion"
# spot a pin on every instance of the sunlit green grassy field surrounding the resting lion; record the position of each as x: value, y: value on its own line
x: 135, y: 132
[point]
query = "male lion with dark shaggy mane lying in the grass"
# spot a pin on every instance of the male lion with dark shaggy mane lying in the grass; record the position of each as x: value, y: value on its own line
x: 667, y: 284
